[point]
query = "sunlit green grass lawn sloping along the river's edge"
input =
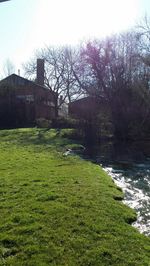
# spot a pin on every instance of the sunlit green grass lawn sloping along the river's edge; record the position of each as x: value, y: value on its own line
x: 61, y: 210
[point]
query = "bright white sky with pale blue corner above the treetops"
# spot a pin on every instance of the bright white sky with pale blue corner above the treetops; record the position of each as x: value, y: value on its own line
x: 28, y: 25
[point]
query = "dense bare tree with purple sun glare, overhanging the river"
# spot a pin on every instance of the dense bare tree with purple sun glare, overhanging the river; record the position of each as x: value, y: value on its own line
x: 115, y: 73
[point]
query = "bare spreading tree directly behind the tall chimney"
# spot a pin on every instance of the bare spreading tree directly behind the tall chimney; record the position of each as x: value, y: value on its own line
x: 59, y: 76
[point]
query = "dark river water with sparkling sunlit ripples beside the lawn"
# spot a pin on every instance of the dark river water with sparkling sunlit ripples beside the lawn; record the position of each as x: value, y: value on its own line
x: 129, y: 166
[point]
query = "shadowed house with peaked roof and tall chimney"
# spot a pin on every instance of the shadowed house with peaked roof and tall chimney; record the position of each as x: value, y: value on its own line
x: 23, y: 102
